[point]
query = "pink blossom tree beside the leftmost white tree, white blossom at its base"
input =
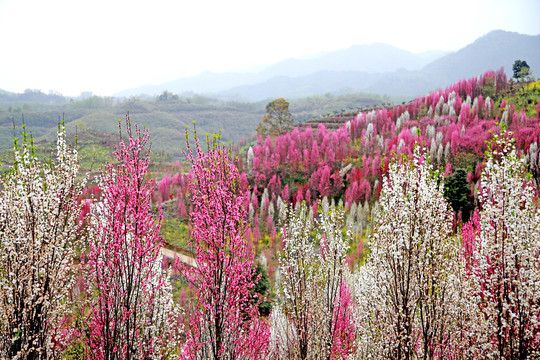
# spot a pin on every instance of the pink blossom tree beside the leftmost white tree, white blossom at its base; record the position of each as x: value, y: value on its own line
x: 132, y: 313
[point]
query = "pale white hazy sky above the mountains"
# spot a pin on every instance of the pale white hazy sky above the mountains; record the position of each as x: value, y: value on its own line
x: 105, y: 46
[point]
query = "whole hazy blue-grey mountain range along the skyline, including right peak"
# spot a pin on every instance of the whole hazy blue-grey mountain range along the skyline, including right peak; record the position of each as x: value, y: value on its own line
x: 376, y: 68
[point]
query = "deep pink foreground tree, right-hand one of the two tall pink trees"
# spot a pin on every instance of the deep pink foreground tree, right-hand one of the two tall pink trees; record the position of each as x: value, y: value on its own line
x: 224, y: 320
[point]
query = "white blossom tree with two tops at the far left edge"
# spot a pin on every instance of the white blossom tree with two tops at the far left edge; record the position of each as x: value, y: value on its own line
x: 38, y: 241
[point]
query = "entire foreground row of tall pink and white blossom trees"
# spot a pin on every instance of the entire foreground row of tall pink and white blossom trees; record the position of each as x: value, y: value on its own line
x: 423, y: 292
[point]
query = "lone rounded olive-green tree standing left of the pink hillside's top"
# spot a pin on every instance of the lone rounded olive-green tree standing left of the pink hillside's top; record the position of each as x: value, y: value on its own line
x: 278, y: 119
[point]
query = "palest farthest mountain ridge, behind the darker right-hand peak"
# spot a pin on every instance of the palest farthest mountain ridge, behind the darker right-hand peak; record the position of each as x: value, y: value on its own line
x: 372, y: 59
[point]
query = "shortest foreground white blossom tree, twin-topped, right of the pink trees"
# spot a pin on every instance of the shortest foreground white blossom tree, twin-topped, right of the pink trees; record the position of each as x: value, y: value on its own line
x: 313, y: 317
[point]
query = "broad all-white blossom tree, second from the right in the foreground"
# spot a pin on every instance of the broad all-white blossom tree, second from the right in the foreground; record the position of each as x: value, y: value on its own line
x: 408, y: 292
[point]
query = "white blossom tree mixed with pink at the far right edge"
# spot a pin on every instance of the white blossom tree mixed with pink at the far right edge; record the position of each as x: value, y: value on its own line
x: 504, y: 246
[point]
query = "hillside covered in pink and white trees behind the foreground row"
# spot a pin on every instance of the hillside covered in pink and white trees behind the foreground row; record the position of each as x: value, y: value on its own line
x: 343, y: 158
